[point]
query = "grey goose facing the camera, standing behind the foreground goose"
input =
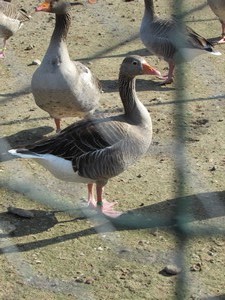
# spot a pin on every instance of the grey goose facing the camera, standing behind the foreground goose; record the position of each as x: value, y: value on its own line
x: 62, y: 87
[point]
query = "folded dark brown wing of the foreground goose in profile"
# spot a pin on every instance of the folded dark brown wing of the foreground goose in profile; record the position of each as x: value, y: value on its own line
x: 96, y: 148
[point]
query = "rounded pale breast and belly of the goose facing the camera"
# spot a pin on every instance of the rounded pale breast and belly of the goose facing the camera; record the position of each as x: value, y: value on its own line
x: 65, y: 89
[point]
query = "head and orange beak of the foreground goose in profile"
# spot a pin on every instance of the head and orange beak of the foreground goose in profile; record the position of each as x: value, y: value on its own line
x: 134, y: 65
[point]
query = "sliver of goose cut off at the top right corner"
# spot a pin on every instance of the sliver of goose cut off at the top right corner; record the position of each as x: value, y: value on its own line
x: 218, y: 7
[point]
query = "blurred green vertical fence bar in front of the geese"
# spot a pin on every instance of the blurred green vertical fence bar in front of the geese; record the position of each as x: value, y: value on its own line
x: 180, y: 163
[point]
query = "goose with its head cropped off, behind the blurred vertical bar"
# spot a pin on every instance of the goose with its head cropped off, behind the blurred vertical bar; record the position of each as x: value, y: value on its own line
x: 167, y: 39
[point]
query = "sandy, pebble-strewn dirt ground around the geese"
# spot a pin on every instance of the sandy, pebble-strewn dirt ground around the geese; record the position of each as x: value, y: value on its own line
x: 56, y: 254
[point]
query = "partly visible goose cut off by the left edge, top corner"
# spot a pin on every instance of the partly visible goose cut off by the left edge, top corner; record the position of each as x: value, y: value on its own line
x: 11, y: 20
